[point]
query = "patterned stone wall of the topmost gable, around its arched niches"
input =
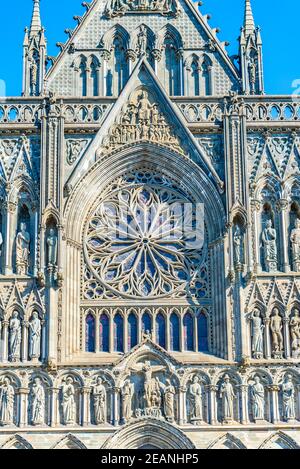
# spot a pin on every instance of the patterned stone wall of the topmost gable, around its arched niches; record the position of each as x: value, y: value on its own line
x: 93, y: 39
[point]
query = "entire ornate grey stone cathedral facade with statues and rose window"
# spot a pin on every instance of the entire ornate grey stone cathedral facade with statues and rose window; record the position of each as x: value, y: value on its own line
x: 150, y: 238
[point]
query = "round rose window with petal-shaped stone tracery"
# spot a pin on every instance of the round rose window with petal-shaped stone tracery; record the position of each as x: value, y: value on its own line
x: 145, y: 241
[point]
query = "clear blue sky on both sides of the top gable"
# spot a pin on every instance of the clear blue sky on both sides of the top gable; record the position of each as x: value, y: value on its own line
x: 279, y: 21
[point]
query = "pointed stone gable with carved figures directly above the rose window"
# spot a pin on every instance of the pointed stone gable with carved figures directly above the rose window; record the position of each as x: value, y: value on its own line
x: 169, y: 131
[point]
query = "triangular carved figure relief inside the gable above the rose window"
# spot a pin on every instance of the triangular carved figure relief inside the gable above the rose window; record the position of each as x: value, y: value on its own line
x: 141, y: 120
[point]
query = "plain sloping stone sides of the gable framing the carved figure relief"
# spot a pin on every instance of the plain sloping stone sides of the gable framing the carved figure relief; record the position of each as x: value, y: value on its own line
x: 143, y: 78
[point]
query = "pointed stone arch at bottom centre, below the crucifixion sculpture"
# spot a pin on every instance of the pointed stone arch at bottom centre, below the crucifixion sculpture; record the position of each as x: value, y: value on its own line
x: 158, y: 435
